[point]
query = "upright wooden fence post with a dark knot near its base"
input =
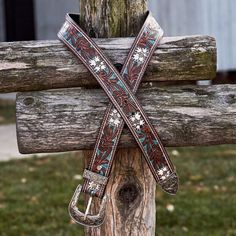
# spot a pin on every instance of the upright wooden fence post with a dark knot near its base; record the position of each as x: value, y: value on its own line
x: 131, y: 189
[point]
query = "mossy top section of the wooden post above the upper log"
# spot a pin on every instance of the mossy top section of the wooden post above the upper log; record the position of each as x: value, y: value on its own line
x: 119, y: 18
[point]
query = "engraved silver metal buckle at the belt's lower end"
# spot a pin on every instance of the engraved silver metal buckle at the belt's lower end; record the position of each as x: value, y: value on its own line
x: 85, y: 218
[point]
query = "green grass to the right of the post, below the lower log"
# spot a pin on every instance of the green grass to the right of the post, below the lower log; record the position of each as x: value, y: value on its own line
x: 206, y: 202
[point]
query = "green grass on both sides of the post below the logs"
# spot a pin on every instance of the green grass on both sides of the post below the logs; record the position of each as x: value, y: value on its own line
x: 34, y: 195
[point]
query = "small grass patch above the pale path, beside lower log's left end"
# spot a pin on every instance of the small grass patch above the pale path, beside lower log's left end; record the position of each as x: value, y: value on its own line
x: 7, y: 111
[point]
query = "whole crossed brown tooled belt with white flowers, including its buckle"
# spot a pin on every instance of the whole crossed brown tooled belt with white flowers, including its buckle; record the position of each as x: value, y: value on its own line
x: 124, y: 108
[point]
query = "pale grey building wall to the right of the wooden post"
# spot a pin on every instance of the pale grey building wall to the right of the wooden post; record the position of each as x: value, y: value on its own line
x: 210, y: 17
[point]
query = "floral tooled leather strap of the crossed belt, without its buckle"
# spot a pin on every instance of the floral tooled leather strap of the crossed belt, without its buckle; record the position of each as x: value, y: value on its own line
x: 125, y: 103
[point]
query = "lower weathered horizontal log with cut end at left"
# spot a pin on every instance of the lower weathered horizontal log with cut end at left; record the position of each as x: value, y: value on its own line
x: 66, y: 120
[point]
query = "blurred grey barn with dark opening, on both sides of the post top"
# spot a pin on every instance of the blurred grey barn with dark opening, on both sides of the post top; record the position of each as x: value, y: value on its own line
x: 41, y: 19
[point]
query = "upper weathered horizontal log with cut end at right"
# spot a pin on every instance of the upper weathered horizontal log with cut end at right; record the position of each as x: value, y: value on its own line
x: 41, y: 65
